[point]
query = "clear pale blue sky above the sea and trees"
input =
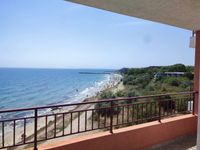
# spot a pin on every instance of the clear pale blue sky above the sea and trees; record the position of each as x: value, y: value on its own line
x: 60, y: 34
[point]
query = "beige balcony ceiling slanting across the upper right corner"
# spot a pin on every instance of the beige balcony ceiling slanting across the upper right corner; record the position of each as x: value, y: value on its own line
x: 180, y: 13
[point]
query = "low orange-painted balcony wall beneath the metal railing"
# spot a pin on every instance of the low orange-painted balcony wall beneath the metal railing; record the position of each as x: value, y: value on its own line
x: 130, y: 138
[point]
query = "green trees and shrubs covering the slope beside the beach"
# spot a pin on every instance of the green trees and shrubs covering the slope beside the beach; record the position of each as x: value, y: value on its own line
x: 142, y: 81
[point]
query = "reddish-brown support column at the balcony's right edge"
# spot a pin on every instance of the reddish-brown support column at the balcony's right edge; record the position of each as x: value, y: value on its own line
x: 197, y: 85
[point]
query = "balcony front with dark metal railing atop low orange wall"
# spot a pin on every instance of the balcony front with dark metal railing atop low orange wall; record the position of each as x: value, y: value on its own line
x: 110, y: 118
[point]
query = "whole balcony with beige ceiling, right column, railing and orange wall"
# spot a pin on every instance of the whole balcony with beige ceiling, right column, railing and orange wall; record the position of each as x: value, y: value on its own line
x: 127, y: 123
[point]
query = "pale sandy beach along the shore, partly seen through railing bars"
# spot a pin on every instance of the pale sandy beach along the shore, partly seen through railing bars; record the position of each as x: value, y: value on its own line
x: 114, y: 84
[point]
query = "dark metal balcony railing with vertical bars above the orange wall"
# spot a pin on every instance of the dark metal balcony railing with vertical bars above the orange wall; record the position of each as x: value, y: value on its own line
x: 49, y: 122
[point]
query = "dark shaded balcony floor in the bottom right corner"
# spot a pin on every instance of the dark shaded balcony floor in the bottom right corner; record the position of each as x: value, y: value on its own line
x: 183, y: 143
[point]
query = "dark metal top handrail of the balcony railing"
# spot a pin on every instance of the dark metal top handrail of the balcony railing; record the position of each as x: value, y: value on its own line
x: 93, y: 102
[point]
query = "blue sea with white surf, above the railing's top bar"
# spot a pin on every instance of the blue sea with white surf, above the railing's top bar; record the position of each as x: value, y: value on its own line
x: 20, y: 88
